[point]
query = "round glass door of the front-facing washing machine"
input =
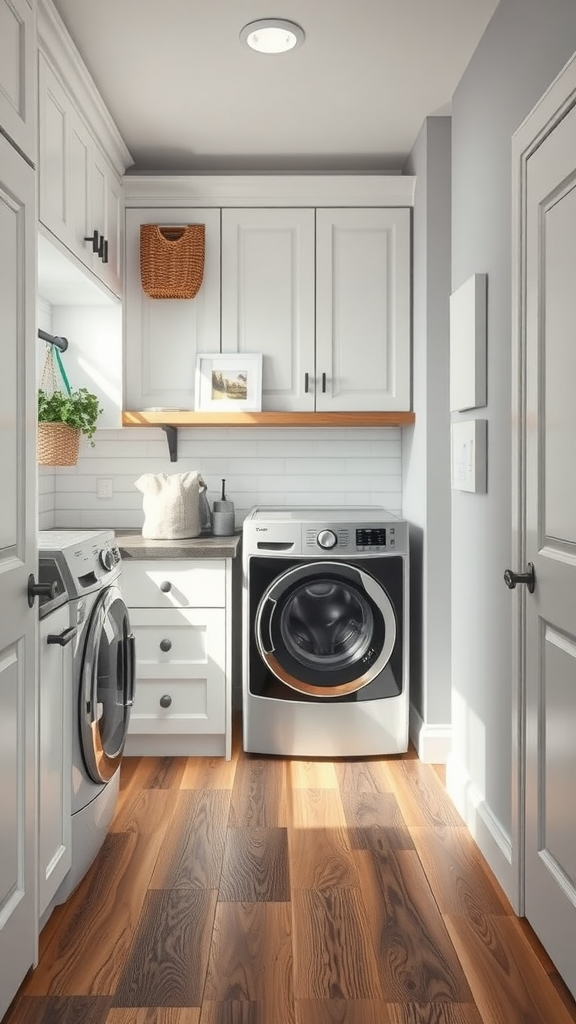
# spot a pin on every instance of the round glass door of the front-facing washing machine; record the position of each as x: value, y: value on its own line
x: 325, y: 629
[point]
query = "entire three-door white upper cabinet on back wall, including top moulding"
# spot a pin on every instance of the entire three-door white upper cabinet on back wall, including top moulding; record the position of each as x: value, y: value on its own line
x: 316, y: 275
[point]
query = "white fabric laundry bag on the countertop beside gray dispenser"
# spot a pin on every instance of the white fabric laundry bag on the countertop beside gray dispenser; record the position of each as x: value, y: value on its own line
x: 173, y: 505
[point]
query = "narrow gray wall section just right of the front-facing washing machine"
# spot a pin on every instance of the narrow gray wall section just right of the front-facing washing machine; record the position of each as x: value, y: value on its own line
x: 427, y: 446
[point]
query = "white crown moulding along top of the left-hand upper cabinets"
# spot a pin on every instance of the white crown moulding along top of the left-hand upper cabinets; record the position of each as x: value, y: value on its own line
x: 65, y: 60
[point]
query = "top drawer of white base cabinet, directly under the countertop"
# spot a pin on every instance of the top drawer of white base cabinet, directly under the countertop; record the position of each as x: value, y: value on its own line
x: 175, y: 584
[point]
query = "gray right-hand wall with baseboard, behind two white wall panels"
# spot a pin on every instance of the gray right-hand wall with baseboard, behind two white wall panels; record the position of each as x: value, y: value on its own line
x: 525, y: 47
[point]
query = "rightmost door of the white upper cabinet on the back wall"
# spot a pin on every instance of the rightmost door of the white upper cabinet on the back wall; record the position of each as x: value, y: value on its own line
x: 363, y: 310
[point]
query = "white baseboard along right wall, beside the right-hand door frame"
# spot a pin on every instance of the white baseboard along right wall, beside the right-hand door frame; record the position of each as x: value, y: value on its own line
x: 493, y: 842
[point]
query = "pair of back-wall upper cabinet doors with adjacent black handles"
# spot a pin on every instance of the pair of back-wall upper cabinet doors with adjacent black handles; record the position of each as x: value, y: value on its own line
x: 325, y: 295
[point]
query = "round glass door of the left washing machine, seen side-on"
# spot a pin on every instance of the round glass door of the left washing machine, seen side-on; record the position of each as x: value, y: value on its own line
x: 107, y: 686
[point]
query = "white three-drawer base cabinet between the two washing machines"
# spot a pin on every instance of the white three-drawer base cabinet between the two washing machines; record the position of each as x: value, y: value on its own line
x: 181, y: 617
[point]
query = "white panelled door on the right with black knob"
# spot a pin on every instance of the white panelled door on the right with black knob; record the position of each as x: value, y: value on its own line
x: 550, y: 614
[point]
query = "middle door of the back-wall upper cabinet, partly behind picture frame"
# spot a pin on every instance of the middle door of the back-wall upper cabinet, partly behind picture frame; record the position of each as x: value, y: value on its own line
x: 268, y: 300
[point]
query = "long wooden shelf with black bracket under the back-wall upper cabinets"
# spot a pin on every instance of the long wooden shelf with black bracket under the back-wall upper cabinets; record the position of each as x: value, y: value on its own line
x: 171, y: 419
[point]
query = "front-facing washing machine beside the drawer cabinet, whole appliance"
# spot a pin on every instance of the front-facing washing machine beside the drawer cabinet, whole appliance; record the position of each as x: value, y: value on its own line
x: 325, y: 632
